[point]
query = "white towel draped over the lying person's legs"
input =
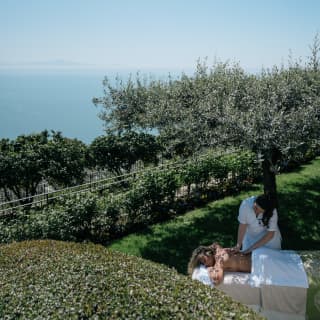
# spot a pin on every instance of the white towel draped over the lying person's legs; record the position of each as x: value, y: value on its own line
x: 277, y: 267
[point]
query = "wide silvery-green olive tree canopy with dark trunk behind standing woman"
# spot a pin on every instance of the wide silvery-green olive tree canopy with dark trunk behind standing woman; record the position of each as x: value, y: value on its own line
x: 276, y: 113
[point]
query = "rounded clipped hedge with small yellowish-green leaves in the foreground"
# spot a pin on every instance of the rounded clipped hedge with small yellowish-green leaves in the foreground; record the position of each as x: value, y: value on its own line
x: 61, y: 280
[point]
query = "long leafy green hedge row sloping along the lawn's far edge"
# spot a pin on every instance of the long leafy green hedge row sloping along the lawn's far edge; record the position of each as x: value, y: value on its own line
x: 152, y: 196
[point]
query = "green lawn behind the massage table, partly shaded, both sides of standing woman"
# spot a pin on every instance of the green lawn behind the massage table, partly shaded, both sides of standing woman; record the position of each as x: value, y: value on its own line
x: 171, y: 243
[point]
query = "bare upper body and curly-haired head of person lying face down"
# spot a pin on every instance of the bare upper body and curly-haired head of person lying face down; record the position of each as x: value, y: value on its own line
x: 217, y: 260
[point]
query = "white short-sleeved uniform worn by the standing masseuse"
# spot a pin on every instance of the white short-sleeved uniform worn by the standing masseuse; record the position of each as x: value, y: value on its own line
x: 255, y: 227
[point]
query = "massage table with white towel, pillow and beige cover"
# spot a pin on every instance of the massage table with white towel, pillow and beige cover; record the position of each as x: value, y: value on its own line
x: 276, y: 287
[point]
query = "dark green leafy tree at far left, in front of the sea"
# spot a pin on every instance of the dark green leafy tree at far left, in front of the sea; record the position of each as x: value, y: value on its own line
x: 30, y: 159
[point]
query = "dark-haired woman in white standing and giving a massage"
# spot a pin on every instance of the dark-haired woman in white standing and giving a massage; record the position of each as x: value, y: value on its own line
x: 258, y: 225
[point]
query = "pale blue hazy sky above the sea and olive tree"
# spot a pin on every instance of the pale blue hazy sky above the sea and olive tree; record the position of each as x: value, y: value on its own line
x: 141, y: 34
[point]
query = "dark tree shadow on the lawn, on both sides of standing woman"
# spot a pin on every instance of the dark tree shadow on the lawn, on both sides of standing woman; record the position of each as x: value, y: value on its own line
x: 299, y: 221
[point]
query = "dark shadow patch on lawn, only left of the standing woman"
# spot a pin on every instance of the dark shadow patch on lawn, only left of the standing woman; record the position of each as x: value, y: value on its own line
x: 174, y: 244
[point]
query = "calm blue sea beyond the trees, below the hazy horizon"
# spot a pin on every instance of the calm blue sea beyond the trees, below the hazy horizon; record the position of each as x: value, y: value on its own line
x: 33, y: 100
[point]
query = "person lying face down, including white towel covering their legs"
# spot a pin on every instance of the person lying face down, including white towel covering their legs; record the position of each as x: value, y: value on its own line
x: 266, y: 266
